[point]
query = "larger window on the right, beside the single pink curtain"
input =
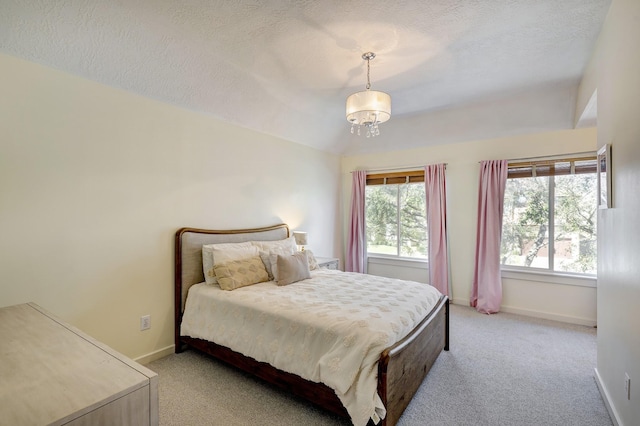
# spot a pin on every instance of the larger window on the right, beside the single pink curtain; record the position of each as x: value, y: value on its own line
x: 550, y: 216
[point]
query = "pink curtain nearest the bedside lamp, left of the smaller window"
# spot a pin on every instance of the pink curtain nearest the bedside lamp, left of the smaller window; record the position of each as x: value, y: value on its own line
x: 356, y: 245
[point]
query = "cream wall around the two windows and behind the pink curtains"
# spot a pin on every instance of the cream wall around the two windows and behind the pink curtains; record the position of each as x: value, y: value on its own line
x: 564, y: 302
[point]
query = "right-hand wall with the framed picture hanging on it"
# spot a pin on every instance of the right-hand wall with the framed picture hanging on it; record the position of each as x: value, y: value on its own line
x: 618, y: 74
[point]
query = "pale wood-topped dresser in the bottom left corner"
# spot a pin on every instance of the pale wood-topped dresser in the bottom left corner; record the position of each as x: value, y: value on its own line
x: 53, y: 374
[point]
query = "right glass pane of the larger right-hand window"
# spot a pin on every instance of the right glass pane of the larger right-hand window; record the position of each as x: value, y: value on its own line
x: 575, y: 224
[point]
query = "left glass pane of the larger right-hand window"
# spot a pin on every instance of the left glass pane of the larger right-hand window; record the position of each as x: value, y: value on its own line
x: 525, y: 228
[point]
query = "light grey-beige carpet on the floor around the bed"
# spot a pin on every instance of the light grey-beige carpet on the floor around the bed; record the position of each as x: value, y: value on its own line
x: 502, y: 369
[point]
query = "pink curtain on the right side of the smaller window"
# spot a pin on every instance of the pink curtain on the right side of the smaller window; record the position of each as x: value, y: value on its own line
x: 435, y: 187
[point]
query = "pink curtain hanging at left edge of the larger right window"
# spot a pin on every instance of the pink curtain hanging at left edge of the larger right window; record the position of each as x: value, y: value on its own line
x: 486, y: 292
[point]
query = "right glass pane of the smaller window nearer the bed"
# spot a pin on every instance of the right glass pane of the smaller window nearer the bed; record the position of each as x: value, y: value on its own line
x: 413, y: 221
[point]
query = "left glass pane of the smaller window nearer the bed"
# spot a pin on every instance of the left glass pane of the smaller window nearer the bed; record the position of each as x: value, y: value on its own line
x: 381, y: 212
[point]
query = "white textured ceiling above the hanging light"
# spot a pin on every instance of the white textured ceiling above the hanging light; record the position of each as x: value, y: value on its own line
x: 455, y: 69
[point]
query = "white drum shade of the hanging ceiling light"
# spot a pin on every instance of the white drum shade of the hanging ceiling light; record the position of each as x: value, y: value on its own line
x: 368, y: 107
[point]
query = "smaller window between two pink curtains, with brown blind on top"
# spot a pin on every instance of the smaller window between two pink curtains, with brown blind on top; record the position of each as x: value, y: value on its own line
x: 396, y: 217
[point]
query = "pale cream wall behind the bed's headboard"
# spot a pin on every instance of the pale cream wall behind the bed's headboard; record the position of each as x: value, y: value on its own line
x: 95, y: 181
